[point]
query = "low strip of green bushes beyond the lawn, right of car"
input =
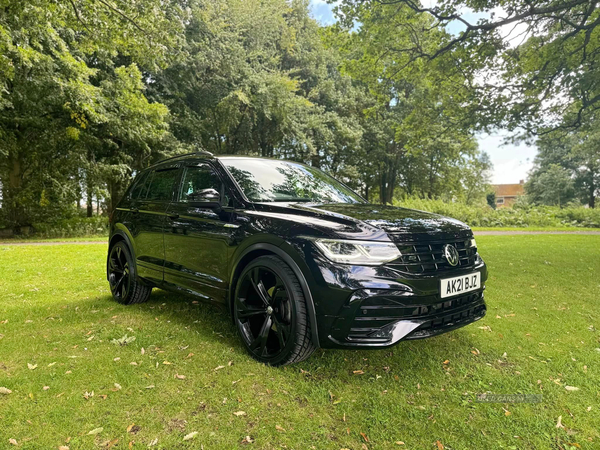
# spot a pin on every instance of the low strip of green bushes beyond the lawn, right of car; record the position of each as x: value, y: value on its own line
x: 522, y: 215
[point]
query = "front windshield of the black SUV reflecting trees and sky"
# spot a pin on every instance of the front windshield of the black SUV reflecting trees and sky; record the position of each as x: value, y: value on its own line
x: 266, y: 180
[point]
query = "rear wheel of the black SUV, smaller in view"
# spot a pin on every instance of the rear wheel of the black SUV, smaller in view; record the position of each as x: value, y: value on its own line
x: 125, y: 287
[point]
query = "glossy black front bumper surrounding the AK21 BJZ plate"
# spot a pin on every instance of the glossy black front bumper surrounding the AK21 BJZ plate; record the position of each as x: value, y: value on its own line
x: 378, y: 306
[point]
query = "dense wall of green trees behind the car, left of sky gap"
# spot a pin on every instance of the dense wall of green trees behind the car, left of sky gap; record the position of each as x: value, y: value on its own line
x: 93, y: 90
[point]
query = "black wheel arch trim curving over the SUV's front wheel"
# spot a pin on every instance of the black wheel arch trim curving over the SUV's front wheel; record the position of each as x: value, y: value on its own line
x: 260, y: 249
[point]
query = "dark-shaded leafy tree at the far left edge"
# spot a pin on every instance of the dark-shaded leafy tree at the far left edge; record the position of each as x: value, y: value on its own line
x: 71, y: 89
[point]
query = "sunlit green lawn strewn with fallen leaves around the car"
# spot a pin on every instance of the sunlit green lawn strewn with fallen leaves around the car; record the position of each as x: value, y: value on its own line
x: 56, y: 313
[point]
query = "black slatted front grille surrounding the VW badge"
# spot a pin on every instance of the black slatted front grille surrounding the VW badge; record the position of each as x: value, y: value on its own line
x: 429, y: 257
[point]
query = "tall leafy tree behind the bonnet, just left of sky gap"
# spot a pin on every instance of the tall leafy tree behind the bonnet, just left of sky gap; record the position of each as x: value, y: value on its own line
x: 416, y: 138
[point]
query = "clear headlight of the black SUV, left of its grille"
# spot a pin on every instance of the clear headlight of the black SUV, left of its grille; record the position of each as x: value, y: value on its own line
x: 358, y: 252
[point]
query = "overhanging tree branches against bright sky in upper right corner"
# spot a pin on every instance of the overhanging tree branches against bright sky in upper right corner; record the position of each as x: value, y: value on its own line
x: 536, y: 59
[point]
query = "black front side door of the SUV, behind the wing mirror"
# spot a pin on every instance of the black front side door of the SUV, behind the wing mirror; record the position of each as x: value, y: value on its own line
x: 197, y: 240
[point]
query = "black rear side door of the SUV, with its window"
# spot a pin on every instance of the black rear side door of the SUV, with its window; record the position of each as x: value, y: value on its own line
x: 150, y: 214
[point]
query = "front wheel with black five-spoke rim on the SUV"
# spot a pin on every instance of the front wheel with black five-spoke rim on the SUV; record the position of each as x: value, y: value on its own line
x: 269, y: 311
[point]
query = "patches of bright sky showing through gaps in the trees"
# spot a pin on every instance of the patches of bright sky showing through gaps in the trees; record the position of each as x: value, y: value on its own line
x: 511, y: 162
